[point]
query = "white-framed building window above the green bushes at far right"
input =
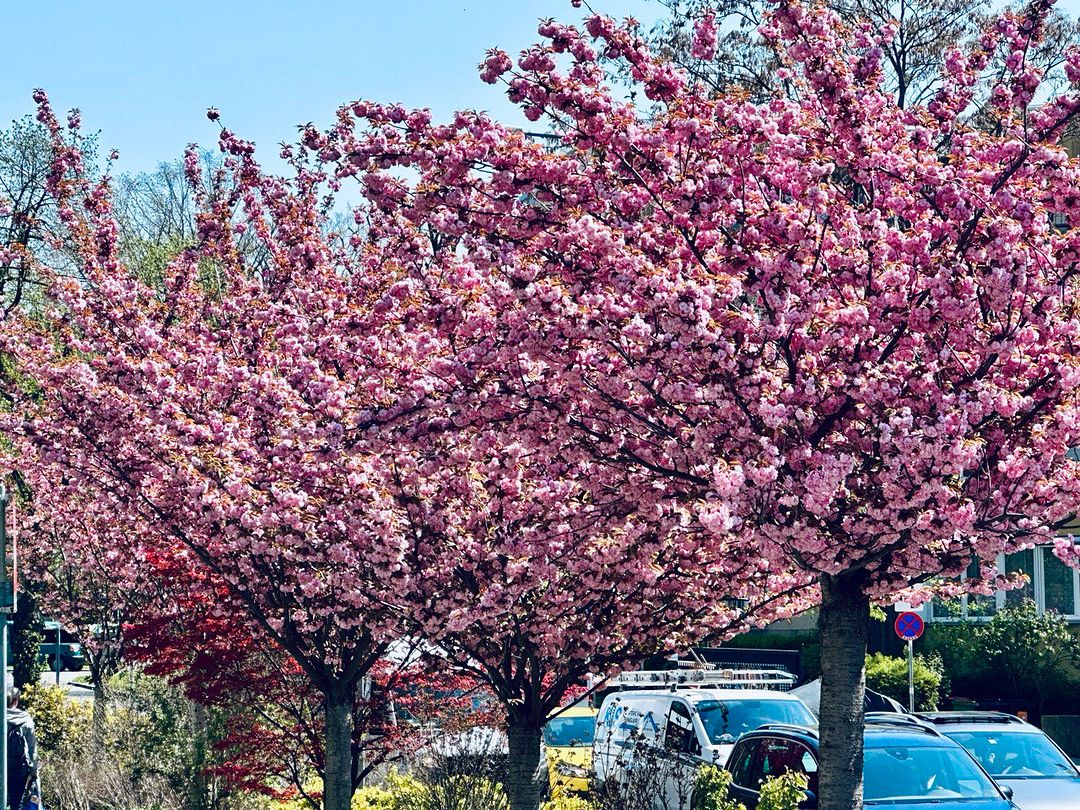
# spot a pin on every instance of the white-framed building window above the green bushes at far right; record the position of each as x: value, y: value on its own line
x: 1052, y: 586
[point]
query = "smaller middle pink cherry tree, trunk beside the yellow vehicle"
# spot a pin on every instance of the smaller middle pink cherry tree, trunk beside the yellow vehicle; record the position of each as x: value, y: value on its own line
x: 546, y: 577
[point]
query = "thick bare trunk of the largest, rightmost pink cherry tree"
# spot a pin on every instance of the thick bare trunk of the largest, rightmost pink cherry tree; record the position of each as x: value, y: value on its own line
x: 843, y: 624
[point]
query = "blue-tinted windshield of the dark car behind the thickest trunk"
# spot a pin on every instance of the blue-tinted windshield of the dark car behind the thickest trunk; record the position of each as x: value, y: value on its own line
x: 934, y: 774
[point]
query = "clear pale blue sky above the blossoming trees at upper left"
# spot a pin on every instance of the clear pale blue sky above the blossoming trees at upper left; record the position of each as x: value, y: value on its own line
x: 144, y: 72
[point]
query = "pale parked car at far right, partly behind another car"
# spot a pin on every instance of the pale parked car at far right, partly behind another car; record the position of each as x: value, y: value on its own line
x: 1017, y: 754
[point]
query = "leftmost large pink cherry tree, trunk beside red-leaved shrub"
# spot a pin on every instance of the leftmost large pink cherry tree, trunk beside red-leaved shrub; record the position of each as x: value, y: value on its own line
x: 233, y: 413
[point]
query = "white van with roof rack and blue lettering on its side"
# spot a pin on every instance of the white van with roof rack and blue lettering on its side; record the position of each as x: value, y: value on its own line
x: 653, y: 741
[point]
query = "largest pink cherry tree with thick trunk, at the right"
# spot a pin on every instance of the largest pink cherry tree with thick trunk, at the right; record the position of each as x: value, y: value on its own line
x: 840, y: 331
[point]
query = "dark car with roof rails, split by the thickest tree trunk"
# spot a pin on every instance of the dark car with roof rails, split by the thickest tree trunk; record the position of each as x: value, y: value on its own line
x: 909, y: 765
